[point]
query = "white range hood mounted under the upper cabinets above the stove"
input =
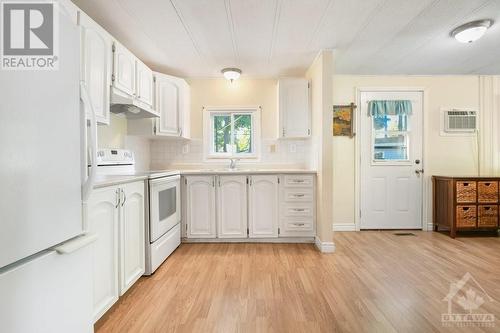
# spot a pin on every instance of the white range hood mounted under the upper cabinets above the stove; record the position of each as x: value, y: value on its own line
x: 130, y: 106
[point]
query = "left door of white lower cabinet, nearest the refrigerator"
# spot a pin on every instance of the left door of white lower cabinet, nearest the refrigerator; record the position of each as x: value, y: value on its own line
x: 102, y: 220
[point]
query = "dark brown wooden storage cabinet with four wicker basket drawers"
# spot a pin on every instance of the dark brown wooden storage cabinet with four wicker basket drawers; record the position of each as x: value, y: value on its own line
x: 465, y: 203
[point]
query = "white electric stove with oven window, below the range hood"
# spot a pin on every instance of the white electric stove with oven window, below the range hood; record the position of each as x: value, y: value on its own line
x: 163, y: 209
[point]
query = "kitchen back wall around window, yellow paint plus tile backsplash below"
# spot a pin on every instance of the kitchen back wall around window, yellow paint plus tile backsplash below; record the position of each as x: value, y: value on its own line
x: 243, y: 92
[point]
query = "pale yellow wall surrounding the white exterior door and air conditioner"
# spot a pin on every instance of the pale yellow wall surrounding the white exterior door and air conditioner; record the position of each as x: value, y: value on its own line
x: 444, y: 155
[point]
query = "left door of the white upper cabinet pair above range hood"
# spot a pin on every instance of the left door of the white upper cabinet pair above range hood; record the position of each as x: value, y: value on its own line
x: 124, y: 69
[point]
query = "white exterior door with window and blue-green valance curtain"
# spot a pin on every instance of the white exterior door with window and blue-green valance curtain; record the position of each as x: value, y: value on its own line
x: 391, y: 160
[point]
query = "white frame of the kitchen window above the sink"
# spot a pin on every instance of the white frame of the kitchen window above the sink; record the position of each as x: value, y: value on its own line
x: 208, y: 133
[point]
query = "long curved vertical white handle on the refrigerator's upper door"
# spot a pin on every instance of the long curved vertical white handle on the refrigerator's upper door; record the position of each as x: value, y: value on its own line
x: 89, y: 183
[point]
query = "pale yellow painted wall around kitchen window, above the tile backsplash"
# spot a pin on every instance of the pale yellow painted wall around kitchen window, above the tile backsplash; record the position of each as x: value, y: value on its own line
x: 242, y: 92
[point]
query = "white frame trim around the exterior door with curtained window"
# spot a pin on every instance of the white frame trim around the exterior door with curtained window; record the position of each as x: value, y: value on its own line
x: 357, y: 151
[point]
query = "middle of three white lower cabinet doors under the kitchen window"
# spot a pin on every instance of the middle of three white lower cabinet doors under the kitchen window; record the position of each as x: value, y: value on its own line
x: 232, y: 206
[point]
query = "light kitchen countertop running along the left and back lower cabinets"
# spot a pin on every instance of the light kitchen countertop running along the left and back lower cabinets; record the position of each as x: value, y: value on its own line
x: 111, y: 180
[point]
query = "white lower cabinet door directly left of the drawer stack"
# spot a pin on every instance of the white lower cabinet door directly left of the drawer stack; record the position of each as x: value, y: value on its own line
x: 263, y: 208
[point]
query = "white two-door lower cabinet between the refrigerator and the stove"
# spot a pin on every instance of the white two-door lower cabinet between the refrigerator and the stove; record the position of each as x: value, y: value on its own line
x: 116, y: 215
